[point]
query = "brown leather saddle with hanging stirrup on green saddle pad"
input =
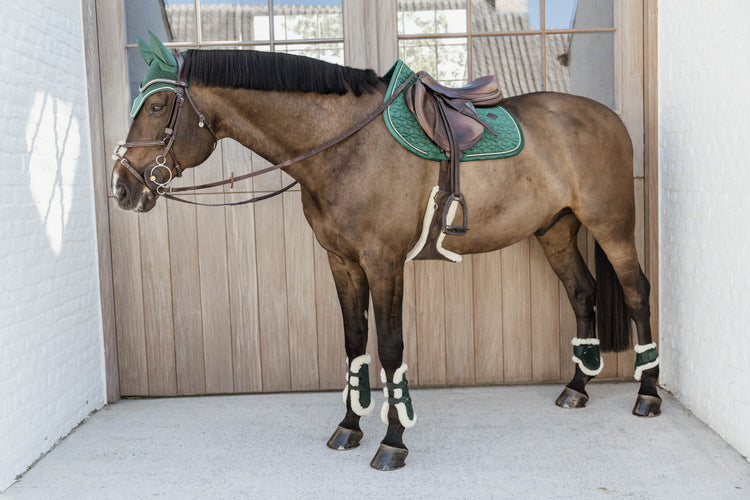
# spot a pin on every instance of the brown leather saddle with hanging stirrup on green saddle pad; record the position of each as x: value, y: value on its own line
x: 449, y: 118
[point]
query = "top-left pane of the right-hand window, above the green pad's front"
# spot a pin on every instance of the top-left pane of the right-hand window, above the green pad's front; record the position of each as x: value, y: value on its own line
x: 422, y: 17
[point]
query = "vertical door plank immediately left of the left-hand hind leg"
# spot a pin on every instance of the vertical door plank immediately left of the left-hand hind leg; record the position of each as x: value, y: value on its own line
x: 545, y: 316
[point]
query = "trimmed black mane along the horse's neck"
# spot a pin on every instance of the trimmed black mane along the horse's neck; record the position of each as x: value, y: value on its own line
x: 276, y: 71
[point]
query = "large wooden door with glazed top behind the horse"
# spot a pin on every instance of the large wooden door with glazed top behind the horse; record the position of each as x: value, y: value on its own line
x: 232, y: 300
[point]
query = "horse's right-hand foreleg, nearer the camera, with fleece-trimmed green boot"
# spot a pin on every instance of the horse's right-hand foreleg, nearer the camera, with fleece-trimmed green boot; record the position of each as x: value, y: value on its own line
x: 397, y: 411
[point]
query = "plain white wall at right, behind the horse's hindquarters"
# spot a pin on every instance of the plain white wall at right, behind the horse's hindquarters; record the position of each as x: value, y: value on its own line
x: 704, y: 213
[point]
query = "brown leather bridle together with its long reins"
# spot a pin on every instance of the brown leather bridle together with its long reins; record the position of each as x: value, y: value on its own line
x: 161, y: 186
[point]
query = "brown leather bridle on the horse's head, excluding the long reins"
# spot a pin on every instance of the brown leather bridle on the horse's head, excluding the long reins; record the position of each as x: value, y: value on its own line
x: 153, y: 181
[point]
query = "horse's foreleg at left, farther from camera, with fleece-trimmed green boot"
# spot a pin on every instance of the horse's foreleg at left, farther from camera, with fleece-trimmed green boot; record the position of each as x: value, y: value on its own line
x: 353, y: 293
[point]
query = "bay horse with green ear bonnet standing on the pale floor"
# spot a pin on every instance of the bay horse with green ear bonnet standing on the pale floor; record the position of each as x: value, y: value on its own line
x: 365, y: 198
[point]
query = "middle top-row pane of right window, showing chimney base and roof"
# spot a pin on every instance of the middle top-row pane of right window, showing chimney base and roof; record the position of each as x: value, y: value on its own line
x: 493, y: 16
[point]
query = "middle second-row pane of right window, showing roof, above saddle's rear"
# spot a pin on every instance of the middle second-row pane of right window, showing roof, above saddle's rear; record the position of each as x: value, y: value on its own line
x: 516, y: 60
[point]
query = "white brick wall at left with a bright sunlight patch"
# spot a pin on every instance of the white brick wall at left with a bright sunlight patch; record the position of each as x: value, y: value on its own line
x: 51, y: 353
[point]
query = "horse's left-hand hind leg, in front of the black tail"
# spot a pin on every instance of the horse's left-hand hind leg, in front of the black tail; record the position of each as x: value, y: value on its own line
x: 560, y: 247
